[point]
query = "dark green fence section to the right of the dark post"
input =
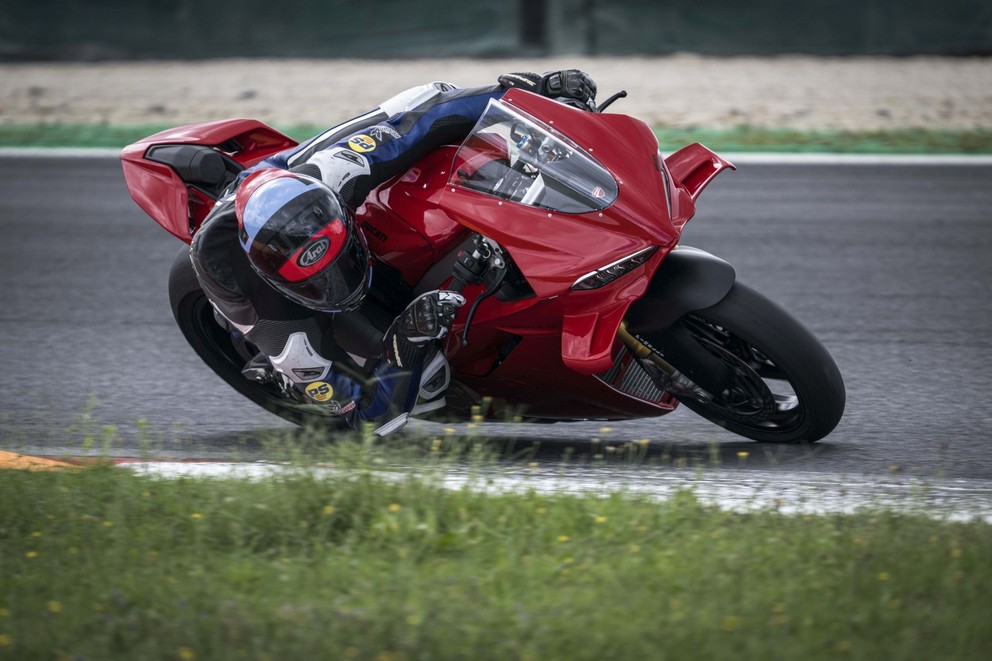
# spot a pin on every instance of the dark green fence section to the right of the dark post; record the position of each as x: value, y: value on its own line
x: 769, y: 27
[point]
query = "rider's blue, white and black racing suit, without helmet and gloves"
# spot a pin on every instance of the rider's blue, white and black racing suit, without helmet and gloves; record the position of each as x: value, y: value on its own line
x: 352, y: 158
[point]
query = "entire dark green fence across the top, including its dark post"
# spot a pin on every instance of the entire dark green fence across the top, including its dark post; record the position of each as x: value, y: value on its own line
x: 121, y: 29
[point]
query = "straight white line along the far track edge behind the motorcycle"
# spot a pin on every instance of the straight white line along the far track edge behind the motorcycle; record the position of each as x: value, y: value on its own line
x: 738, y: 158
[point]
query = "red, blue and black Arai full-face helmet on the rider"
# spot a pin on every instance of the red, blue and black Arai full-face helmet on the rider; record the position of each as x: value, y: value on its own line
x: 301, y: 239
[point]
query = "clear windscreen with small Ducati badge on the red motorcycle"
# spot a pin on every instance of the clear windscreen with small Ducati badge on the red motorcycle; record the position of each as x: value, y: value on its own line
x: 515, y: 157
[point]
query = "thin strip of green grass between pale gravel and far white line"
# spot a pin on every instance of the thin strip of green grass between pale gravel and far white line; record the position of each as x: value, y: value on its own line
x: 743, y: 139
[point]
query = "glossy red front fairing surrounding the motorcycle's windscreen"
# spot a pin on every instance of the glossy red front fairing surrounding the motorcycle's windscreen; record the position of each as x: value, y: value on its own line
x: 552, y: 249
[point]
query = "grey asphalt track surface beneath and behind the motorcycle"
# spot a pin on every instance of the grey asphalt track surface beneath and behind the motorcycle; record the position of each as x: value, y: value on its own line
x: 887, y: 264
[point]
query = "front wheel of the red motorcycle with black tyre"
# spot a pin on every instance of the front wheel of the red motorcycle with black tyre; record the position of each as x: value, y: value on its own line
x: 781, y: 384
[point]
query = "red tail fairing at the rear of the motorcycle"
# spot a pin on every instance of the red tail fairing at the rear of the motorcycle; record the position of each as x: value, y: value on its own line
x: 164, y: 196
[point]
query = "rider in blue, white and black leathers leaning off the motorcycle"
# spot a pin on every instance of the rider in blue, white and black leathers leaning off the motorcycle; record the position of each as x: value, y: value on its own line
x: 285, y: 245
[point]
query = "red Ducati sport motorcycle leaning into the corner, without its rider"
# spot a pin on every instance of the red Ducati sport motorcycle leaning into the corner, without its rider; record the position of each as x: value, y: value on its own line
x: 561, y: 228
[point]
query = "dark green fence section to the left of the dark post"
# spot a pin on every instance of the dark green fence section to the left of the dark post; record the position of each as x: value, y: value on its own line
x: 115, y: 29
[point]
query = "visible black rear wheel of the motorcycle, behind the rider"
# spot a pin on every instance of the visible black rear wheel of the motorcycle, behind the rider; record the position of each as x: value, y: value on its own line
x: 216, y: 346
